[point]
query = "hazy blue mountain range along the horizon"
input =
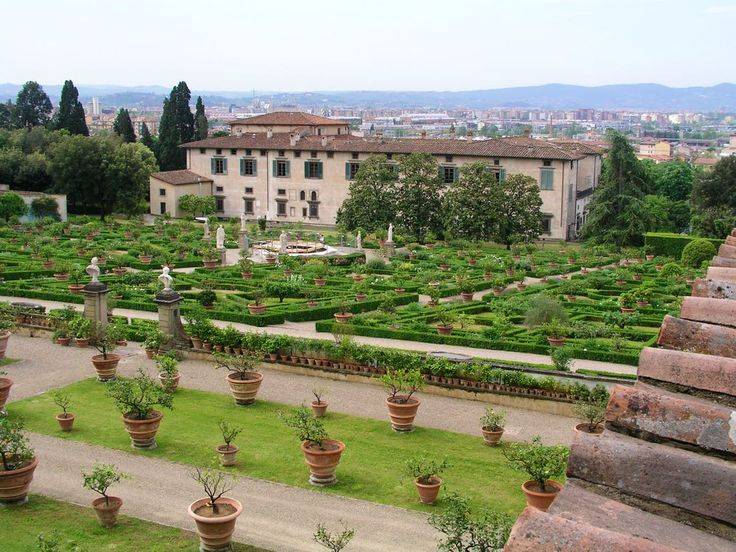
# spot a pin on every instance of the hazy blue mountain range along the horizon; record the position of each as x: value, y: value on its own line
x: 654, y: 97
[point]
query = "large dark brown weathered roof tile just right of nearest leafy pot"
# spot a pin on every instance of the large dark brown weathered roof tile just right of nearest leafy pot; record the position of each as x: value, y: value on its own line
x: 684, y: 479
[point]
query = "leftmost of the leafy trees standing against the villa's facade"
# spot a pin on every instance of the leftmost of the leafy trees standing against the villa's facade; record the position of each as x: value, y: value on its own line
x: 371, y: 204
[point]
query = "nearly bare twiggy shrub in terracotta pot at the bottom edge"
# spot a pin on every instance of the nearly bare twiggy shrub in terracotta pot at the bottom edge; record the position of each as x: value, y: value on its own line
x: 214, y: 516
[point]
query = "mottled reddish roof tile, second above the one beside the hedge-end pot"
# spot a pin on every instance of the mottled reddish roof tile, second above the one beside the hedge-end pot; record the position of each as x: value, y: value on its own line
x: 698, y: 337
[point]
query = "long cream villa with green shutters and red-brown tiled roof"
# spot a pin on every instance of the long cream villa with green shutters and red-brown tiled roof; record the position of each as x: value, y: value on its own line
x: 297, y: 167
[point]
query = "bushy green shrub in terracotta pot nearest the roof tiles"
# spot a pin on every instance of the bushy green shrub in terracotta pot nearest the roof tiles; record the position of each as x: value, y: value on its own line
x: 541, y: 463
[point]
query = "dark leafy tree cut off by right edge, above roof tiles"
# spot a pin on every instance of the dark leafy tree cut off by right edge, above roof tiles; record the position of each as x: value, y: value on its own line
x: 714, y: 199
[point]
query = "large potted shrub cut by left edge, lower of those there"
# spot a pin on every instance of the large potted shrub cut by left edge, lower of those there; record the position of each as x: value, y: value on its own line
x: 18, y: 462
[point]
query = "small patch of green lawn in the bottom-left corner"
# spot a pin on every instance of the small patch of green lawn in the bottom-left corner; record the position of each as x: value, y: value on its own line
x: 74, y: 525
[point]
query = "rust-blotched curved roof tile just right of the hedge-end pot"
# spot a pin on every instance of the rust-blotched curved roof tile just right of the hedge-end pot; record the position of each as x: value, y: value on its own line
x: 648, y: 411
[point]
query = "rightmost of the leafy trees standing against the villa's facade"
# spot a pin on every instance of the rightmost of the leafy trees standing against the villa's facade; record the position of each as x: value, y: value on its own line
x: 519, y: 206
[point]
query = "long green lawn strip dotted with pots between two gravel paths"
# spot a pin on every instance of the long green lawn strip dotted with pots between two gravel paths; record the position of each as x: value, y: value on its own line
x: 370, y: 469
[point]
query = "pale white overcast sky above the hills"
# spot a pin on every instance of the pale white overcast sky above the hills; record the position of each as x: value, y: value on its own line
x: 295, y: 45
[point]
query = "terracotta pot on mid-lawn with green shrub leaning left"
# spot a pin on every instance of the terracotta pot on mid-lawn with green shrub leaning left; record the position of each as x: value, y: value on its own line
x: 321, y: 453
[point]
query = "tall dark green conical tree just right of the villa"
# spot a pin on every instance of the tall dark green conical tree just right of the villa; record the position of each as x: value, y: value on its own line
x: 617, y: 214
